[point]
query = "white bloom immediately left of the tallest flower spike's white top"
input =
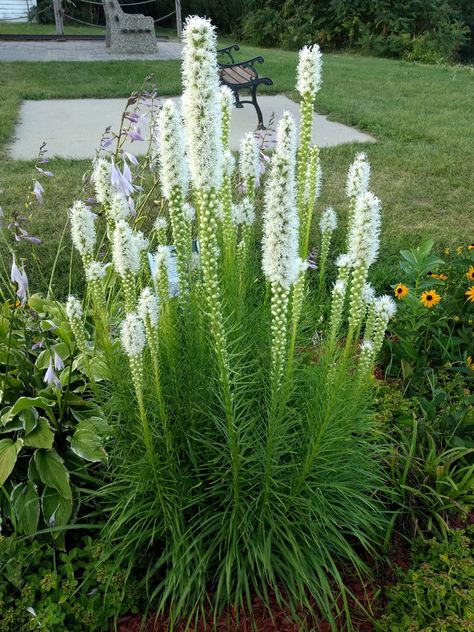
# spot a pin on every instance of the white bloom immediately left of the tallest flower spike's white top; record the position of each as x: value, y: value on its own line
x: 171, y: 152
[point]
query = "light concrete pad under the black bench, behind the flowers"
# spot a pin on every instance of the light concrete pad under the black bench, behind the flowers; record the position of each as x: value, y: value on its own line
x: 73, y: 128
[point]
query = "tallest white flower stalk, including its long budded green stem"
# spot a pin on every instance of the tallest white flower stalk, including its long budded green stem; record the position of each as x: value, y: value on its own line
x: 203, y: 126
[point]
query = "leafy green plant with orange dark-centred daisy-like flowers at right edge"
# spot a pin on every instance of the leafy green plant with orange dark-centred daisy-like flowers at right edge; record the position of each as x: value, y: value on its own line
x: 433, y: 328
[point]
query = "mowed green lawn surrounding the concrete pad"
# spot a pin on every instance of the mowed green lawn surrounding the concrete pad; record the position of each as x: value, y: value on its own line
x: 421, y: 116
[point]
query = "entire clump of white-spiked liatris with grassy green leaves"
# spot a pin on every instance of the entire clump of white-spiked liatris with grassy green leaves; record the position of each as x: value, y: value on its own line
x: 243, y: 455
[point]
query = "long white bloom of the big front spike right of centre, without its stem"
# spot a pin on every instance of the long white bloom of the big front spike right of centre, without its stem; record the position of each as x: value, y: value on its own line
x: 280, y: 261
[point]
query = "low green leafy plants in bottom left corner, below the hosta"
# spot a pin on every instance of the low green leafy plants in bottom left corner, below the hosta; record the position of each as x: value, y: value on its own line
x: 43, y: 589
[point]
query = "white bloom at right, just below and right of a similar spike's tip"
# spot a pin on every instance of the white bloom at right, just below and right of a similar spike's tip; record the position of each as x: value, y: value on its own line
x: 364, y: 234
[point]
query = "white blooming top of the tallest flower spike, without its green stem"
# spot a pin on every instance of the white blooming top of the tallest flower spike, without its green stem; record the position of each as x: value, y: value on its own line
x: 201, y: 111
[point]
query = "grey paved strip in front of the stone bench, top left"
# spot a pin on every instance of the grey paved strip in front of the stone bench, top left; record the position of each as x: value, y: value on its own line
x: 78, y: 50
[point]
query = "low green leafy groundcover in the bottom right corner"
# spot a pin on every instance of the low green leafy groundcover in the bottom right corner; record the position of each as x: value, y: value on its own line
x: 436, y: 593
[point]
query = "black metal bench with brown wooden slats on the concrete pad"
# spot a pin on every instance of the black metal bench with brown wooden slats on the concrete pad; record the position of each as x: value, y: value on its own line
x: 242, y: 75
